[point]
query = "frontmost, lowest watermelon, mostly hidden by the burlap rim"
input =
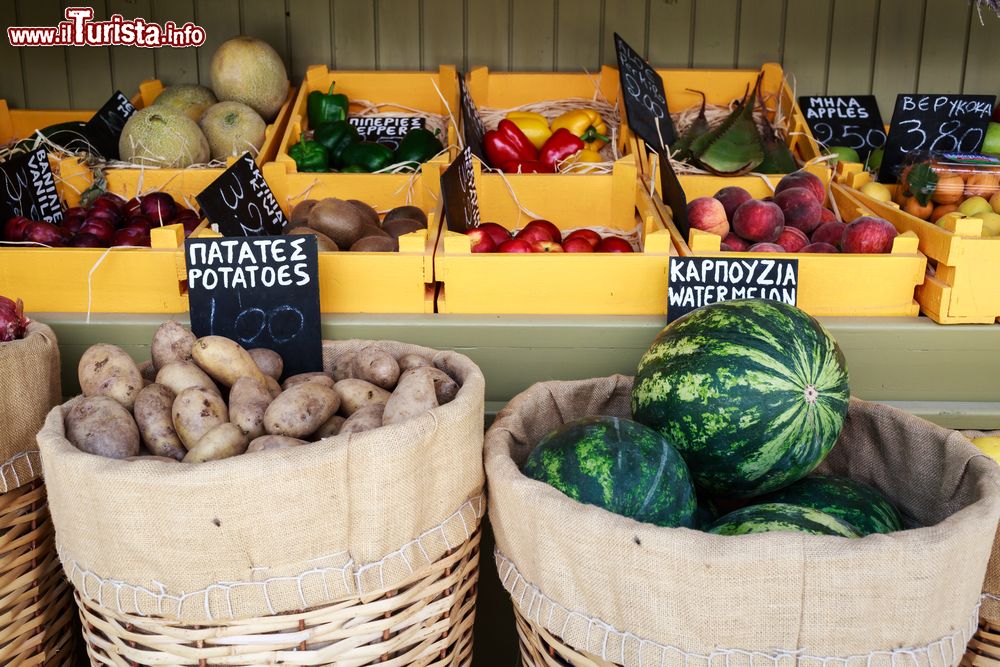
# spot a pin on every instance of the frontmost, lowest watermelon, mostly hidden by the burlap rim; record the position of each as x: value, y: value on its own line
x: 781, y: 517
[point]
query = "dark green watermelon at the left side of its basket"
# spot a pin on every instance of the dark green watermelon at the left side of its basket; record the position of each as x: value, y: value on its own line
x: 619, y: 465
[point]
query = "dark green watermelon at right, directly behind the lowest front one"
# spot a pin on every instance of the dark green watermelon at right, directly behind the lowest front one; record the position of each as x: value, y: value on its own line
x: 858, y: 504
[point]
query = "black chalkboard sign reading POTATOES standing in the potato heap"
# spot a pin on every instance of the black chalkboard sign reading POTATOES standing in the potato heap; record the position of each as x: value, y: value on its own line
x: 260, y: 292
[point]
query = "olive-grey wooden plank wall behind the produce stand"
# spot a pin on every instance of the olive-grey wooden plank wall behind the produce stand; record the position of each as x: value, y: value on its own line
x: 834, y: 46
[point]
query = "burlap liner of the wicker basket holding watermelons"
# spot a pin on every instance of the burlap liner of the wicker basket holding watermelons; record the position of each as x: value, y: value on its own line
x: 634, y: 594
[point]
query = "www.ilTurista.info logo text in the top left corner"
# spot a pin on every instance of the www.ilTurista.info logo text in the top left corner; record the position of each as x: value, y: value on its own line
x: 79, y: 29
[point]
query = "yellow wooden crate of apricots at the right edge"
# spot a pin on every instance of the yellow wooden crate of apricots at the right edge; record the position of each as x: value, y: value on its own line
x: 961, y: 287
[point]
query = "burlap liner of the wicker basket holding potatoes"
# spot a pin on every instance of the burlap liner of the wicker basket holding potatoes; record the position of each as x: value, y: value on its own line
x: 263, y: 534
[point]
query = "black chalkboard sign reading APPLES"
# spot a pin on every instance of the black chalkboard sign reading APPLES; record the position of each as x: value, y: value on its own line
x: 853, y: 121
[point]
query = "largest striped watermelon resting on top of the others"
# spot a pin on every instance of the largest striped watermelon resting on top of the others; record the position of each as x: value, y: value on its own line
x: 753, y: 393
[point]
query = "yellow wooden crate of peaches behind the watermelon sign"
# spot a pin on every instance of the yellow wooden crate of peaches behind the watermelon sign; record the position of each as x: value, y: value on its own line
x: 847, y: 285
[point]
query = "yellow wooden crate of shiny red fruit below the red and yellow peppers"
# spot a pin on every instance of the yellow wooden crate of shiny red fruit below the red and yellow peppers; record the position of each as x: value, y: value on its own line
x: 564, y: 283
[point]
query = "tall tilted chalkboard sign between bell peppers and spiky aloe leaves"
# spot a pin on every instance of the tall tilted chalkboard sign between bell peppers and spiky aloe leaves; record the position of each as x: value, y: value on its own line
x: 645, y: 100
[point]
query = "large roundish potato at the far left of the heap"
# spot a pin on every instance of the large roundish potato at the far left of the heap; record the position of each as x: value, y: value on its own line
x: 100, y: 425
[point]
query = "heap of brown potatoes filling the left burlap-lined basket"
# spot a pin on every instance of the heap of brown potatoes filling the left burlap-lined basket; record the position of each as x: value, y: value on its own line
x: 205, y: 399
